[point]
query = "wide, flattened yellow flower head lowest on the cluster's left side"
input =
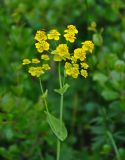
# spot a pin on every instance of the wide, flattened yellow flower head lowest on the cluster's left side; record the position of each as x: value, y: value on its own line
x: 36, y: 71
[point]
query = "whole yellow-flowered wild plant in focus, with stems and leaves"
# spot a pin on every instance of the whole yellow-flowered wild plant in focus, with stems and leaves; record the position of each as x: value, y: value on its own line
x: 74, y: 65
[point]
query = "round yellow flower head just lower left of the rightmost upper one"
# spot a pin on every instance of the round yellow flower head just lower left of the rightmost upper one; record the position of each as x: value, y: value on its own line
x: 79, y: 53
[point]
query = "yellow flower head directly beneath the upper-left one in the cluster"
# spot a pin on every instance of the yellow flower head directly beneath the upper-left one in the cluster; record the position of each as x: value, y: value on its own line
x: 42, y: 46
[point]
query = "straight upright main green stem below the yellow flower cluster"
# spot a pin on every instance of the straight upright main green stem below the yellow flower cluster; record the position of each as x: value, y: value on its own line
x: 61, y: 112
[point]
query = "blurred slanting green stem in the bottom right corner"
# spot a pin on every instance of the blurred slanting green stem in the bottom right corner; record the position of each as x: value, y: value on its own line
x: 114, y: 145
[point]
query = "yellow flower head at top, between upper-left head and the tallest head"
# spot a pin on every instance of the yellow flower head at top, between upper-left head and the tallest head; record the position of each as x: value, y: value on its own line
x: 54, y: 34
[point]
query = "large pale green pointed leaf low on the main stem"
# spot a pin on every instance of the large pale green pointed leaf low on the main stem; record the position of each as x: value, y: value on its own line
x: 57, y: 127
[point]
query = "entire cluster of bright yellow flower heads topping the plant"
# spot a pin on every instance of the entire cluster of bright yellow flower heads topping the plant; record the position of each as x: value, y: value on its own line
x: 74, y: 62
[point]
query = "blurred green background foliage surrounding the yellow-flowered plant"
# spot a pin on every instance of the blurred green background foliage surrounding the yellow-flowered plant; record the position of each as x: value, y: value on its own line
x: 93, y: 106
